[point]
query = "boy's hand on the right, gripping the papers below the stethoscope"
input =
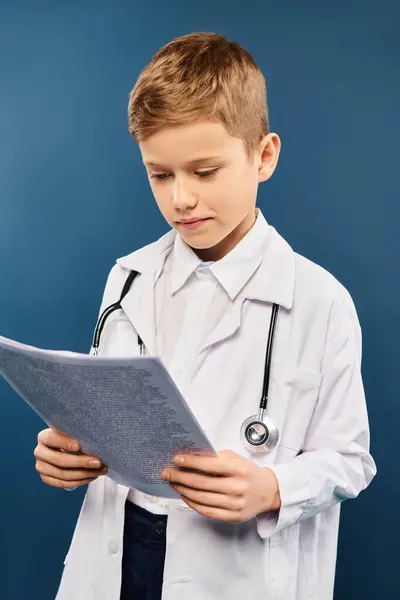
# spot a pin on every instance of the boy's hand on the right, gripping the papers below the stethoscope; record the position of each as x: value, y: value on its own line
x: 229, y: 488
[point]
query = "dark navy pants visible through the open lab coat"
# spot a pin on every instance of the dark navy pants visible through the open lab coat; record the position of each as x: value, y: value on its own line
x: 143, y: 554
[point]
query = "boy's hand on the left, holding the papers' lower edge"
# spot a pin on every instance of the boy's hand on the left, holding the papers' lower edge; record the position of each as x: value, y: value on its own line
x: 60, y: 466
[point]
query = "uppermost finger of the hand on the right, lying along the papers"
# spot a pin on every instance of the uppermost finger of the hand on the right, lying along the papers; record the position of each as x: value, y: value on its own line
x: 215, y: 465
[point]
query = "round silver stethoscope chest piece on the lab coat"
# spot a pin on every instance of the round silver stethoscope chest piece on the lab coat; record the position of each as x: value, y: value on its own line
x: 259, y: 435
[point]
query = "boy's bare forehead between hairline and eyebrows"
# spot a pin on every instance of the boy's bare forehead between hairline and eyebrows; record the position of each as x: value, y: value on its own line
x: 191, y: 144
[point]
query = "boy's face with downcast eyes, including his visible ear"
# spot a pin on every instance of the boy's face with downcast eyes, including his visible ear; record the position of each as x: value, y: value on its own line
x: 220, y: 189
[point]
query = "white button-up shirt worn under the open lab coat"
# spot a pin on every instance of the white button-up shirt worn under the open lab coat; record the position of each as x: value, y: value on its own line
x: 190, y: 298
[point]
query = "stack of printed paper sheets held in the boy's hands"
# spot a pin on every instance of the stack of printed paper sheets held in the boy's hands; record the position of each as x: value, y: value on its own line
x: 128, y: 411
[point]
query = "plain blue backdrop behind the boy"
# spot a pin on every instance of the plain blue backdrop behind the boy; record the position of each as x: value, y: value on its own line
x: 74, y: 196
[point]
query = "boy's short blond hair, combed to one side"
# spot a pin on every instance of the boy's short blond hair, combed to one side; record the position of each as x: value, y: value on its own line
x: 200, y: 76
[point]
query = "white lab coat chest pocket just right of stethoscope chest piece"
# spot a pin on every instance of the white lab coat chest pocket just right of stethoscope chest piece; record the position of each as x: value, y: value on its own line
x: 292, y: 401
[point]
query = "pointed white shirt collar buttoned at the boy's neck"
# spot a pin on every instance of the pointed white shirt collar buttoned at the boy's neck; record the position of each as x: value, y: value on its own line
x: 234, y: 270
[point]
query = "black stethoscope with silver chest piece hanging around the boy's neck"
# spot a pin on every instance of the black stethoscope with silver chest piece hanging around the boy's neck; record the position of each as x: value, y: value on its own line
x: 258, y: 433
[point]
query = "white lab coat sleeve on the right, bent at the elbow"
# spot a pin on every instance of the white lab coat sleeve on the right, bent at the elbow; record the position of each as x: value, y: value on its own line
x: 335, y: 464
